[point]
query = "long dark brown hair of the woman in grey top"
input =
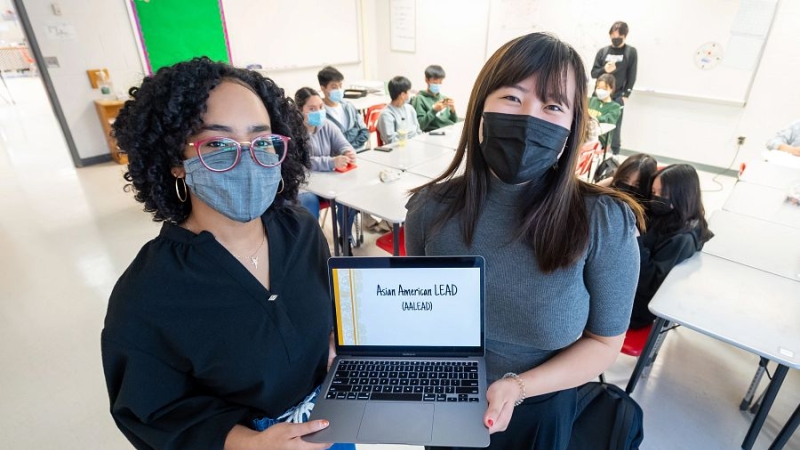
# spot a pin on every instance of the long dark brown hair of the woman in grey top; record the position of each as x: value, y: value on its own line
x: 553, y: 218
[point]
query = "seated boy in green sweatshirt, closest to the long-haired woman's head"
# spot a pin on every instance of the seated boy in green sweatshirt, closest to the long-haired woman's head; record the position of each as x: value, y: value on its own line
x: 434, y: 110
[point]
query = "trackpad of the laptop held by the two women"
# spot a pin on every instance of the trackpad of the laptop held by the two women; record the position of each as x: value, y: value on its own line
x: 397, y: 422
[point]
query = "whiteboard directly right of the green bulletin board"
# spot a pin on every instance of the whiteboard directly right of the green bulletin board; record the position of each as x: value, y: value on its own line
x: 292, y: 34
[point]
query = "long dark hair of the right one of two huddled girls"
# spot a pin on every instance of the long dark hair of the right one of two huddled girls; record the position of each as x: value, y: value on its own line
x: 681, y: 185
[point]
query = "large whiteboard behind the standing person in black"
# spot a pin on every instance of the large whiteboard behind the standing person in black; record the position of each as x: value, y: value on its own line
x: 666, y: 34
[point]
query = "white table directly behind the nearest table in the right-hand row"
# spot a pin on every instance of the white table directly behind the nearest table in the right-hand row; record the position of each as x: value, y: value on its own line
x: 757, y: 243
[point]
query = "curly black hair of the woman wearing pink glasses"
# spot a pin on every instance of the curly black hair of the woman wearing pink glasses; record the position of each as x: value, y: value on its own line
x: 154, y: 126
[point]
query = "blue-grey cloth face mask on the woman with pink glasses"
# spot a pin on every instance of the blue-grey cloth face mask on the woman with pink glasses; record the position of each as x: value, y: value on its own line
x: 242, y: 193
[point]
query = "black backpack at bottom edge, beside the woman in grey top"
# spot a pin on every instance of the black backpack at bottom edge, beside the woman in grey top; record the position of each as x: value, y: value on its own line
x: 607, y: 418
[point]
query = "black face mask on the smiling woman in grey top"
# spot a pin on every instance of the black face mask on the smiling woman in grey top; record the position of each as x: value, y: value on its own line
x: 520, y: 148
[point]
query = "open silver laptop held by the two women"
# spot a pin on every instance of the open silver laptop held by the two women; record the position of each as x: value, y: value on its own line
x: 409, y: 335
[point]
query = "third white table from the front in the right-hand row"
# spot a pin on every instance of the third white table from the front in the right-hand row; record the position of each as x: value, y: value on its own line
x: 763, y: 202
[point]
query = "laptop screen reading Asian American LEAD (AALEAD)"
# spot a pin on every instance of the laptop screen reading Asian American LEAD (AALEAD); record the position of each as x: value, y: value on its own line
x: 402, y: 303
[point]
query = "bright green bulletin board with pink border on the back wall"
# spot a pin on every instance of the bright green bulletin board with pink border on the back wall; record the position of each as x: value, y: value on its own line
x: 171, y: 31
